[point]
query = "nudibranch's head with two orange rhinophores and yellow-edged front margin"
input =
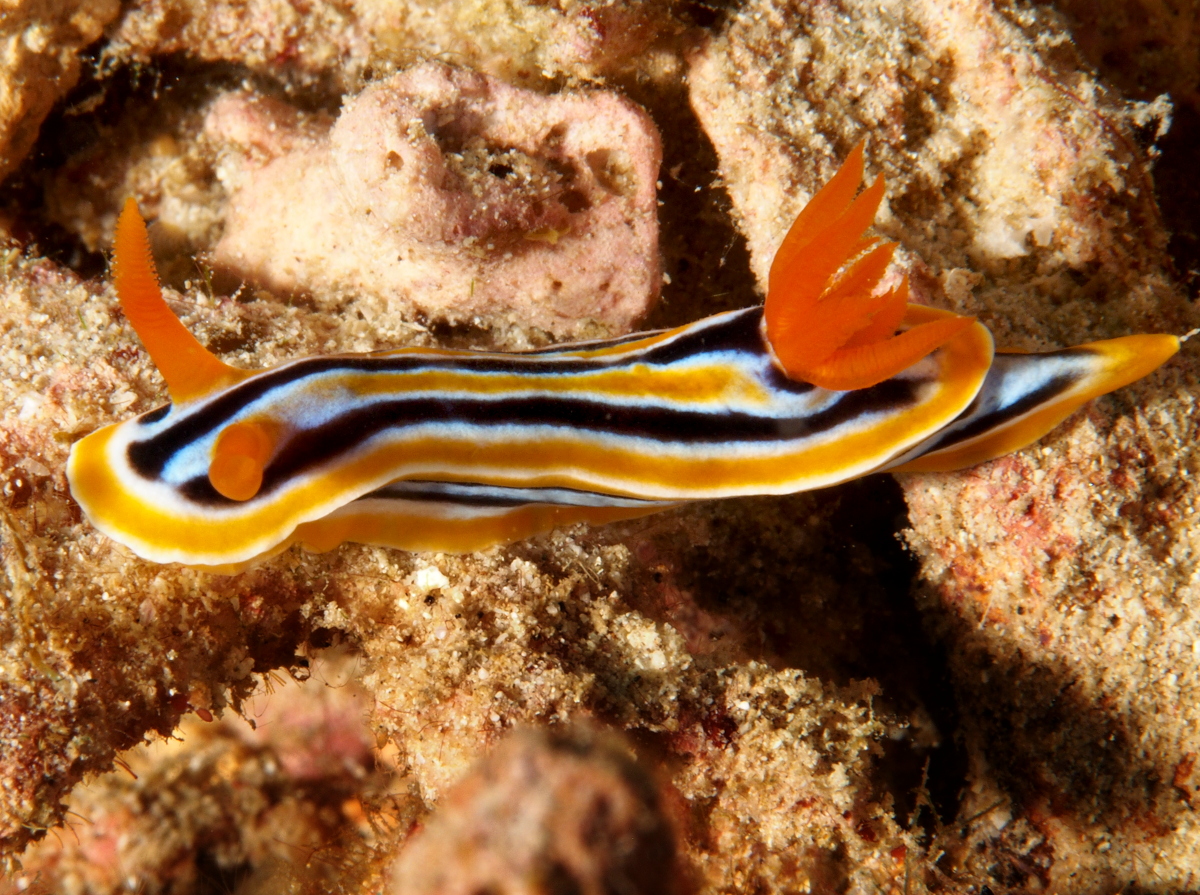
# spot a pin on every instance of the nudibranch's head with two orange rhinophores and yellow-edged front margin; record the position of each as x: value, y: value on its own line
x: 160, y: 482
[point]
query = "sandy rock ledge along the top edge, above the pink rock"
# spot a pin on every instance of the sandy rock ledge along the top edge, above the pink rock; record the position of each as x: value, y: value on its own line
x: 343, y: 44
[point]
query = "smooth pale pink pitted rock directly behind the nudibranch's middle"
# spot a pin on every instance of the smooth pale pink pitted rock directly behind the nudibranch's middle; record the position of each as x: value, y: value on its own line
x: 449, y: 194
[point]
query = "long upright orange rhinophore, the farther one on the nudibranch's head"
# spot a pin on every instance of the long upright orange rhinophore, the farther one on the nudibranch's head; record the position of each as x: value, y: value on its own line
x: 191, y: 371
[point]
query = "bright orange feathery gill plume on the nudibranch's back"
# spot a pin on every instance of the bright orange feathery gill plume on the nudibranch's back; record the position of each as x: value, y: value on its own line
x: 825, y: 321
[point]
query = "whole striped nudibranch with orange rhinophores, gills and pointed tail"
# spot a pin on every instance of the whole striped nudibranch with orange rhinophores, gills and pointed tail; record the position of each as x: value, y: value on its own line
x: 429, y: 449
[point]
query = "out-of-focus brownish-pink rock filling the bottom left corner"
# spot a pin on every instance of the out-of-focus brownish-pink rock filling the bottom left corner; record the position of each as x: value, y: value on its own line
x: 283, y: 802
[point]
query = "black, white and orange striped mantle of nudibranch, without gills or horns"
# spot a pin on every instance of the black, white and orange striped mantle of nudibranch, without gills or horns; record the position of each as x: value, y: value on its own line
x: 695, y: 413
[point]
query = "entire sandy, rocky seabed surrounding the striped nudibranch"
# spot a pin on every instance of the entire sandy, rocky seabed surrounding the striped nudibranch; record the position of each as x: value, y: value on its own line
x: 976, y: 682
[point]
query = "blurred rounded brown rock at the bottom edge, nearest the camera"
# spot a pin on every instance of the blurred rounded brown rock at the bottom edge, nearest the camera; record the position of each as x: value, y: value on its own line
x: 547, y: 813
